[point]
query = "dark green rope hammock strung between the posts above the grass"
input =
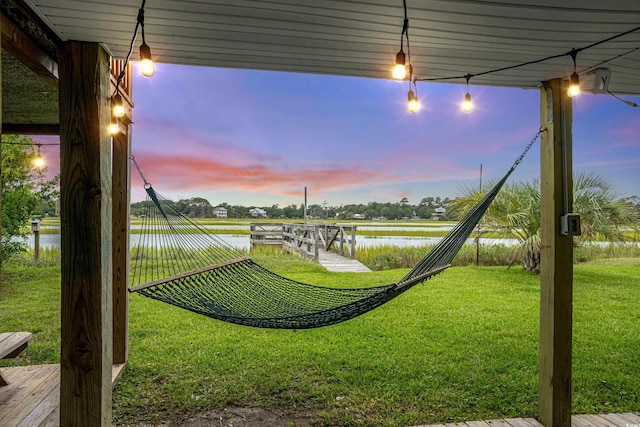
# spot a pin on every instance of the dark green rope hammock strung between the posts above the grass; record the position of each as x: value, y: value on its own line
x: 181, y: 262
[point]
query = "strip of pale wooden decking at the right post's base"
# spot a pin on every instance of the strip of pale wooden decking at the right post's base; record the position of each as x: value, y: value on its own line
x: 628, y: 419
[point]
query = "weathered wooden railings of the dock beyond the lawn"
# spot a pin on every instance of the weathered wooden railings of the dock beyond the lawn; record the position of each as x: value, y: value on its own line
x: 306, y: 239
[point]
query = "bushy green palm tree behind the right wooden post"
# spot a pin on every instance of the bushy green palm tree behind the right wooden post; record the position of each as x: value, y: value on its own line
x: 515, y: 212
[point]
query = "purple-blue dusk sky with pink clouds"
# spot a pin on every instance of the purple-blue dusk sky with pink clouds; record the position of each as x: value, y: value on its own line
x: 258, y: 138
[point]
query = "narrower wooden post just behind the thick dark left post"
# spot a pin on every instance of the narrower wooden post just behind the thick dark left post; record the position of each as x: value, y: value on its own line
x: 121, y: 201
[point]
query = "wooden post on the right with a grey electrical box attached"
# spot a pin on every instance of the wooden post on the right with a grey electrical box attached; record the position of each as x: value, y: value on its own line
x: 556, y: 268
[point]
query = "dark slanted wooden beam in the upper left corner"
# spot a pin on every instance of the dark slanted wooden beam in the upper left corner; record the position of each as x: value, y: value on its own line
x: 25, y: 50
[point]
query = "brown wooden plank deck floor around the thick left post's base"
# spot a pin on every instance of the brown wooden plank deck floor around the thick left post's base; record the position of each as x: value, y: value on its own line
x: 32, y: 398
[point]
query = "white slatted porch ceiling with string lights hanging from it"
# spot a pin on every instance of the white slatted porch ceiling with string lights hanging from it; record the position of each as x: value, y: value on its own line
x: 361, y: 37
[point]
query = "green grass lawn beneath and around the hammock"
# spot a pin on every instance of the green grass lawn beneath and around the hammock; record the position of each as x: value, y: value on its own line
x: 463, y: 346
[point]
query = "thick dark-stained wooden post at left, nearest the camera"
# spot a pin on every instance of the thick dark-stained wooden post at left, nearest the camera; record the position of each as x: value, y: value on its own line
x: 86, y: 235
